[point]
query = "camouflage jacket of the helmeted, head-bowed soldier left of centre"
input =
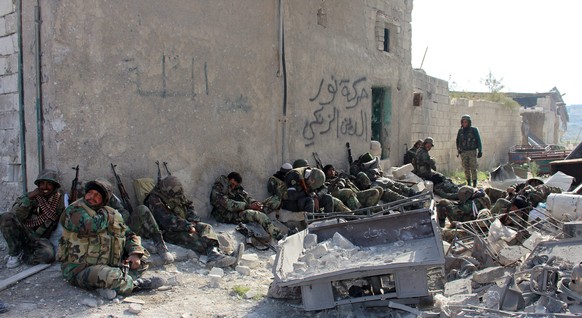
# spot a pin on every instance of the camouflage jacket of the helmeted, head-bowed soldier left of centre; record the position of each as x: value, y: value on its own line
x: 172, y: 214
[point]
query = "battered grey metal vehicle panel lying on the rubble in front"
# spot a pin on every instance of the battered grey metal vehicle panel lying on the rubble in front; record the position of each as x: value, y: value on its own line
x: 399, y: 249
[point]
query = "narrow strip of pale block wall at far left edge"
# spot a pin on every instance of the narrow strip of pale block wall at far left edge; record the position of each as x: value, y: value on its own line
x: 9, y: 120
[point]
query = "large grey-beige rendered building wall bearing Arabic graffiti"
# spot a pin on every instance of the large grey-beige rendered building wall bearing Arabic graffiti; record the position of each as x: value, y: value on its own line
x: 201, y: 85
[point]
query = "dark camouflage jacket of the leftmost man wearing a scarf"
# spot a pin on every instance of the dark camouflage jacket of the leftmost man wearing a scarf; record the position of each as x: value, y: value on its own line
x: 27, y: 209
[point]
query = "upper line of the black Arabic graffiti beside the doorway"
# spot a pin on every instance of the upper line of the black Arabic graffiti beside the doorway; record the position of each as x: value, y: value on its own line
x: 351, y: 93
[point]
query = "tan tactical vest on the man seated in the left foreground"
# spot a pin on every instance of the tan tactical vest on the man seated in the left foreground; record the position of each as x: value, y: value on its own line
x: 104, y: 248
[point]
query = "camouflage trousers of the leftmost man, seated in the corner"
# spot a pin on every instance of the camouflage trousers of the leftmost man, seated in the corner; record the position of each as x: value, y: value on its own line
x: 19, y: 239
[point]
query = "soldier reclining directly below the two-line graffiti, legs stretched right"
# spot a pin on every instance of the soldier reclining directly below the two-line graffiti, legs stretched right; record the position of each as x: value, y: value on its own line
x: 344, y: 189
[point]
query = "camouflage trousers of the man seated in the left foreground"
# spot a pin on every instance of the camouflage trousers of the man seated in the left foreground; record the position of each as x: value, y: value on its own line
x: 102, y: 276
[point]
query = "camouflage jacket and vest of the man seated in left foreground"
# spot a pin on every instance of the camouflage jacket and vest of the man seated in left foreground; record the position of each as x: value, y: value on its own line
x: 94, y: 237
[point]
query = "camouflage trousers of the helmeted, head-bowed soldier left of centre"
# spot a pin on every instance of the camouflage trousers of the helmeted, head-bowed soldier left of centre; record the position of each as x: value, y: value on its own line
x: 204, y: 239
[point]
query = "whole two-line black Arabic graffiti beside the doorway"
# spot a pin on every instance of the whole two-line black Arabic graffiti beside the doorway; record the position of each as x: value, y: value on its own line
x: 328, y: 118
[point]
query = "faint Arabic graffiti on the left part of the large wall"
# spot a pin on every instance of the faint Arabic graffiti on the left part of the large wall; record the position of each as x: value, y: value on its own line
x: 164, y: 91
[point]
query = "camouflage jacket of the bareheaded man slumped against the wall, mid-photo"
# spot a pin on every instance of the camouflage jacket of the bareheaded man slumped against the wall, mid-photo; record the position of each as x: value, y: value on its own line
x: 225, y: 200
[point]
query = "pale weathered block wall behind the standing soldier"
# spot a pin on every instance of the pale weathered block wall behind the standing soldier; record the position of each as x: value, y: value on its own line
x: 499, y: 125
